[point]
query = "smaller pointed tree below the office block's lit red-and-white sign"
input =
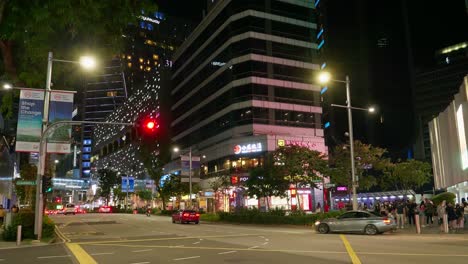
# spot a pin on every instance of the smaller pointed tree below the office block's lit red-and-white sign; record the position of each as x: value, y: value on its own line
x: 266, y: 181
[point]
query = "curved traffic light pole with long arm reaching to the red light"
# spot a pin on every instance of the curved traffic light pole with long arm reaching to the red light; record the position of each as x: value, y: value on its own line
x: 39, y: 210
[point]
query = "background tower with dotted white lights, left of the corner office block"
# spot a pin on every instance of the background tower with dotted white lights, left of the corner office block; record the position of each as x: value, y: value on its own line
x: 147, y: 65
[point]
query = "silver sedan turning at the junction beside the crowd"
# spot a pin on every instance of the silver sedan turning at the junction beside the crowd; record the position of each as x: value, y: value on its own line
x: 356, y: 222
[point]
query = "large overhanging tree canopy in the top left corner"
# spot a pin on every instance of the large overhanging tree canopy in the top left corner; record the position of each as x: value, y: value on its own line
x: 30, y: 29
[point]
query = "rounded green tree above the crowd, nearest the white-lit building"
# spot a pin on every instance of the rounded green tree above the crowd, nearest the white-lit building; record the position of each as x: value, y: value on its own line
x: 407, y: 175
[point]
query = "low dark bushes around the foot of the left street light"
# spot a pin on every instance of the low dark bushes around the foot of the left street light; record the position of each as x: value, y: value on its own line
x: 25, y: 218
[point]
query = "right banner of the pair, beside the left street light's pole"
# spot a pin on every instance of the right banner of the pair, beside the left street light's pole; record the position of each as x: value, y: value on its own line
x: 60, y: 109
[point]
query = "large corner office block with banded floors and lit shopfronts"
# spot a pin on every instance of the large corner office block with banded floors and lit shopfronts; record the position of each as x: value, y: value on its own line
x: 243, y: 85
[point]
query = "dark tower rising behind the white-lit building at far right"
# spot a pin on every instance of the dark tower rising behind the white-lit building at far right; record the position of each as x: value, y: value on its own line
x: 434, y: 90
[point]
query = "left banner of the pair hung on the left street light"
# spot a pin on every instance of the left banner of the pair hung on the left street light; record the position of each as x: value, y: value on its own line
x: 28, y: 133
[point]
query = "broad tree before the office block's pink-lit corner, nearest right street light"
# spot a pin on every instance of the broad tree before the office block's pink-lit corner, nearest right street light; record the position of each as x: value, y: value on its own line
x: 299, y: 165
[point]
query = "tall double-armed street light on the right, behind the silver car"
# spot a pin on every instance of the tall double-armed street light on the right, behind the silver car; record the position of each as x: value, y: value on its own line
x: 323, y: 78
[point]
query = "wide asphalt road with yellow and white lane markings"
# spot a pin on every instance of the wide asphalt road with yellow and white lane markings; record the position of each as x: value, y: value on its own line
x: 137, y: 239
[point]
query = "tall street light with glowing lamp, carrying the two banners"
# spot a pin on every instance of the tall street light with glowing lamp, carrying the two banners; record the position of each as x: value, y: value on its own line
x: 87, y: 63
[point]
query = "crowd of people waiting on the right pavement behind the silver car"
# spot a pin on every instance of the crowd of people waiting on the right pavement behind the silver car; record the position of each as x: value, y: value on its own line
x: 404, y: 212
